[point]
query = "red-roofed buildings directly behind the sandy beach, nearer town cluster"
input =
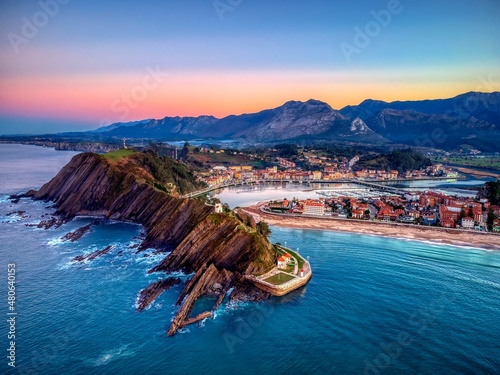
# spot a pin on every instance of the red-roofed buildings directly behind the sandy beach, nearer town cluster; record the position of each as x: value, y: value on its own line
x: 427, y: 208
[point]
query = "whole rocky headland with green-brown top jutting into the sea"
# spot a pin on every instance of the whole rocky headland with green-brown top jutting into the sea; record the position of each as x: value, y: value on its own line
x: 226, y: 251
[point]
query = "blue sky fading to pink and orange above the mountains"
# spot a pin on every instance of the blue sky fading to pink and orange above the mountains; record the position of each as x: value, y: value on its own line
x: 77, y: 65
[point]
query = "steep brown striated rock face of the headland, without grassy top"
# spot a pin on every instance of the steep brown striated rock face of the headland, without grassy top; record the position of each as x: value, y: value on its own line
x: 199, y: 239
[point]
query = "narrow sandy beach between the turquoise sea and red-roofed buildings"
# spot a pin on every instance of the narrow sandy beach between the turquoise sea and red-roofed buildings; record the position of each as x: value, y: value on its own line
x: 418, y: 233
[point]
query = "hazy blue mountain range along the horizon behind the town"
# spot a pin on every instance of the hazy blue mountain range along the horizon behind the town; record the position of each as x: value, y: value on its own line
x: 471, y: 119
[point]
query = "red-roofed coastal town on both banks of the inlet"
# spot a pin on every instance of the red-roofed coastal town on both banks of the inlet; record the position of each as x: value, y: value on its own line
x: 369, y: 200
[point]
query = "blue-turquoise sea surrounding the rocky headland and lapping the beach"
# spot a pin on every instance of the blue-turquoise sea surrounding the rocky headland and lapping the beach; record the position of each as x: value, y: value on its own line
x: 374, y: 305
